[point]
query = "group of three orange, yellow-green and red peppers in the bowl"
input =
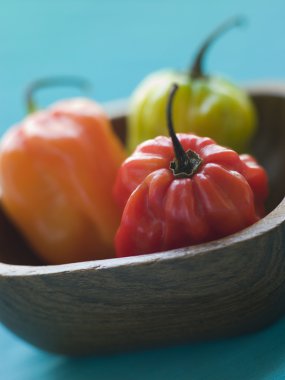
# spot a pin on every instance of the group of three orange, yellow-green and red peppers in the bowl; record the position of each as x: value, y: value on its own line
x: 66, y: 186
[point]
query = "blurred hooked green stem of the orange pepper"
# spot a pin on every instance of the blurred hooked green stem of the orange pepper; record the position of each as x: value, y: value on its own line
x: 39, y: 84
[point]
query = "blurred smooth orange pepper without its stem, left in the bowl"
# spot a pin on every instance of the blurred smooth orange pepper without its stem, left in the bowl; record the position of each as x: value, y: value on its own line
x: 57, y: 170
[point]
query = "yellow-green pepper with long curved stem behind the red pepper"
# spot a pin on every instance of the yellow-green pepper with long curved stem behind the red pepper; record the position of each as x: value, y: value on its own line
x: 206, y: 105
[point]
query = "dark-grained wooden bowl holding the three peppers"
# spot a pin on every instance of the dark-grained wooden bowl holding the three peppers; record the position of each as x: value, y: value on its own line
x: 230, y: 286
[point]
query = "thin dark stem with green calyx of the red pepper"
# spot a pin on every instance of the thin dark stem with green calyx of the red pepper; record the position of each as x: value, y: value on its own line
x: 185, y: 164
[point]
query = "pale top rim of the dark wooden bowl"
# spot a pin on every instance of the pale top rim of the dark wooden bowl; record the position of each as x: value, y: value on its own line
x: 266, y: 224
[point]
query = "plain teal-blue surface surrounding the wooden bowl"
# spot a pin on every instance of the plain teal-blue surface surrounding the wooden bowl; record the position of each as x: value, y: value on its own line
x: 115, y: 44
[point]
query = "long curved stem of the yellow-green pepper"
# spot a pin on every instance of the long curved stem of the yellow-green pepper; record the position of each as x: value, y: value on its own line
x: 196, y: 70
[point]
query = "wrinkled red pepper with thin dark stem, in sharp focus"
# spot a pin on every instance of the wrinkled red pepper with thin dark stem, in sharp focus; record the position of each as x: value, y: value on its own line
x: 204, y: 193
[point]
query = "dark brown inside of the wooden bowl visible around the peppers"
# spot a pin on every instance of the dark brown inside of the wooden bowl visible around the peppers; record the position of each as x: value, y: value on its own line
x: 268, y: 147
